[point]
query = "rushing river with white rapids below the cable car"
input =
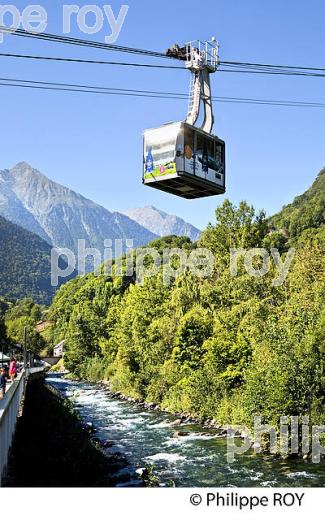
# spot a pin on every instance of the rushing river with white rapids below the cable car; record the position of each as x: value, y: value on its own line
x: 195, y: 460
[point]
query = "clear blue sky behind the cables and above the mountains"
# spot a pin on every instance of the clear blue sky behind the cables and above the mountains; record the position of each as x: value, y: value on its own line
x: 93, y: 143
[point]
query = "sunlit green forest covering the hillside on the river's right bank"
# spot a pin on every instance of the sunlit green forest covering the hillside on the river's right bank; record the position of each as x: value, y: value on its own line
x: 227, y: 347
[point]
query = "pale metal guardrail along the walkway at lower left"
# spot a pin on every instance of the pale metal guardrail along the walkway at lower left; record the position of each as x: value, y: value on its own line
x: 9, y: 412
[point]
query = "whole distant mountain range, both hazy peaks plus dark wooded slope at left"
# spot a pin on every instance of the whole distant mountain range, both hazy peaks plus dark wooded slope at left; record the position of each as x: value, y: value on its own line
x: 38, y: 213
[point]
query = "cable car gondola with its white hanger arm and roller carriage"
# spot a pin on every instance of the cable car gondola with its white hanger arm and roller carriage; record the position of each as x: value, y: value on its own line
x: 180, y: 158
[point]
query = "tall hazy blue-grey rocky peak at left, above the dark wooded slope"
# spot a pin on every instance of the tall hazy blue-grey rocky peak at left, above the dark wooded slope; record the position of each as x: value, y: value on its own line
x: 59, y: 215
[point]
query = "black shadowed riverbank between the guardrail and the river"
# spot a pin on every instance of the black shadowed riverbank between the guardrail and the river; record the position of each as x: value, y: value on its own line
x: 51, y: 448
